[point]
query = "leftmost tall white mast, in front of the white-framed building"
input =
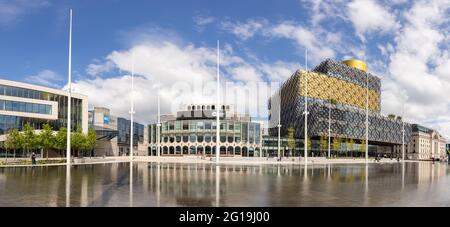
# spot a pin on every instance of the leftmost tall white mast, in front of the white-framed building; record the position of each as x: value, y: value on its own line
x: 69, y: 97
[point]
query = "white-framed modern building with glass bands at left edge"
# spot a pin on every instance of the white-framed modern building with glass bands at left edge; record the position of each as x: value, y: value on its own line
x: 22, y: 103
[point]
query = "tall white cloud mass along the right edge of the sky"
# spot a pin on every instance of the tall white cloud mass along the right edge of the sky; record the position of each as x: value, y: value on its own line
x: 418, y: 65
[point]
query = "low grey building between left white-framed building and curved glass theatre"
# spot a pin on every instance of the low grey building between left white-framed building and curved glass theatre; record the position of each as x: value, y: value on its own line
x: 113, y: 134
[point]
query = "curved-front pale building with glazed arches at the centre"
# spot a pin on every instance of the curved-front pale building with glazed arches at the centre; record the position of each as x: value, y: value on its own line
x: 193, y: 132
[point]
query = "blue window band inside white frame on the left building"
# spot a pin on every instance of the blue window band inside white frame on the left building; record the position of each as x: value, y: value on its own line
x: 25, y: 107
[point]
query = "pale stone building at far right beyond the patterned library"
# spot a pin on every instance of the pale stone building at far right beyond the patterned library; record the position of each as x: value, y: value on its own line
x: 426, y: 144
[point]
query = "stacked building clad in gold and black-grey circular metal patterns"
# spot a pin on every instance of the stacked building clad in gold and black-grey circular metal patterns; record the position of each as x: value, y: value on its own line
x: 347, y: 88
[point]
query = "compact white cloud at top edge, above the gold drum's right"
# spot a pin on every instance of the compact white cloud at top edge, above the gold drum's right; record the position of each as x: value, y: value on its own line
x: 368, y: 16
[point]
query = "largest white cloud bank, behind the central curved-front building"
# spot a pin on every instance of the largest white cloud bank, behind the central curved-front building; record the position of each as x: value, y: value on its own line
x: 187, y: 75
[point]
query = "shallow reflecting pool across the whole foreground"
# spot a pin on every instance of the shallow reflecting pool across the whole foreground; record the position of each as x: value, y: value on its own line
x: 171, y: 184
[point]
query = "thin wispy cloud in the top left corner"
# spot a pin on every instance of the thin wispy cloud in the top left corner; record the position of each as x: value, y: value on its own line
x: 12, y: 10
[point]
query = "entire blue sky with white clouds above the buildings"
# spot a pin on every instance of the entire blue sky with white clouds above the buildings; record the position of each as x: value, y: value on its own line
x: 173, y: 47
